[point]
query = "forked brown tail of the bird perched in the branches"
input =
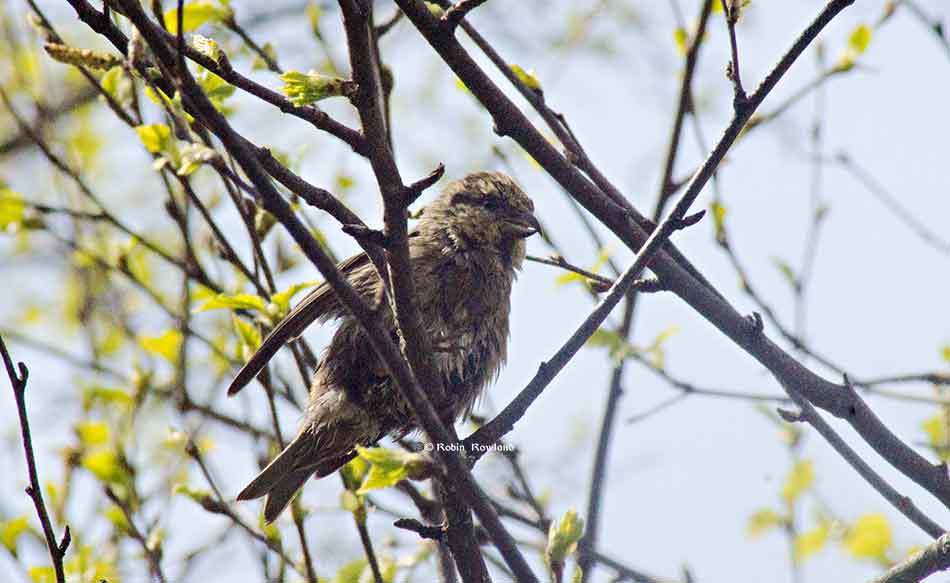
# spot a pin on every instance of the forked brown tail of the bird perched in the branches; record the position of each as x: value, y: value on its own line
x: 310, y: 454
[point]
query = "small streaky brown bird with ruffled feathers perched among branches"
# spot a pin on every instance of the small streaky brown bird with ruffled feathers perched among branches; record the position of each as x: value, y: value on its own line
x: 464, y: 252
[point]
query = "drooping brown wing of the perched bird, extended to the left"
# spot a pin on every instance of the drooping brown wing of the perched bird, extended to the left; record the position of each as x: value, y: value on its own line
x: 318, y: 303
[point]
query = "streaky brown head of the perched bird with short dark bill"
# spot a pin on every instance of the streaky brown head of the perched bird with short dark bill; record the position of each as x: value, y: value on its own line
x: 484, y: 210
